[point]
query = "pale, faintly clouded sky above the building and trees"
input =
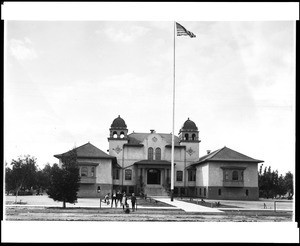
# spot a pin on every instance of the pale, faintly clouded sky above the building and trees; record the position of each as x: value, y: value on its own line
x: 66, y: 81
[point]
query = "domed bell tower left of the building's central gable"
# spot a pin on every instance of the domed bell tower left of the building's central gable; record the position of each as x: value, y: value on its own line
x: 117, y: 137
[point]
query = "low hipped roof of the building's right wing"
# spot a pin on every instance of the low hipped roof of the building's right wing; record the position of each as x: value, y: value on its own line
x: 227, y: 155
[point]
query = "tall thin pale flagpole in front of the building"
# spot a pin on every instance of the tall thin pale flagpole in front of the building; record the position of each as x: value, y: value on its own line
x: 172, y: 154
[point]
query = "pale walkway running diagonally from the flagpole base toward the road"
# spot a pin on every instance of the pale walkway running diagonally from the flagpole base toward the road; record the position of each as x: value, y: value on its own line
x: 187, y: 206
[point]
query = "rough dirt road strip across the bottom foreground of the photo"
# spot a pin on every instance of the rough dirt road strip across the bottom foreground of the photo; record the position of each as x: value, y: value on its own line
x: 74, y: 214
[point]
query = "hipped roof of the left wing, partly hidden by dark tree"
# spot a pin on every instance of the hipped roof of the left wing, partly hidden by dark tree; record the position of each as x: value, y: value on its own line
x: 88, y: 151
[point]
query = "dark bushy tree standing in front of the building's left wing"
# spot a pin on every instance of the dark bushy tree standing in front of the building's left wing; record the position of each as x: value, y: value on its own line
x: 64, y: 181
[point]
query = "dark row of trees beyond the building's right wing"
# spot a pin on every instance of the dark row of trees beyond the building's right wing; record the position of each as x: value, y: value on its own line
x: 271, y: 184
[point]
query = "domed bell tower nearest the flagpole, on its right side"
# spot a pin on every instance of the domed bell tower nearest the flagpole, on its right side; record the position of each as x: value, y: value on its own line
x: 189, y: 137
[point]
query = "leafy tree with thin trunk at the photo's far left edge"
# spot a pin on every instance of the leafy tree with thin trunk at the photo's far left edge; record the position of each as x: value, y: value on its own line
x: 22, y: 175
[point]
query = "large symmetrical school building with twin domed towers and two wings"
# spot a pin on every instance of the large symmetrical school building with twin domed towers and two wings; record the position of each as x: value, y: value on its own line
x: 141, y: 163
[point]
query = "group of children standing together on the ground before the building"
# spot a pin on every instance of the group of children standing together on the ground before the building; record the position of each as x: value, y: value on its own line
x: 122, y: 199
